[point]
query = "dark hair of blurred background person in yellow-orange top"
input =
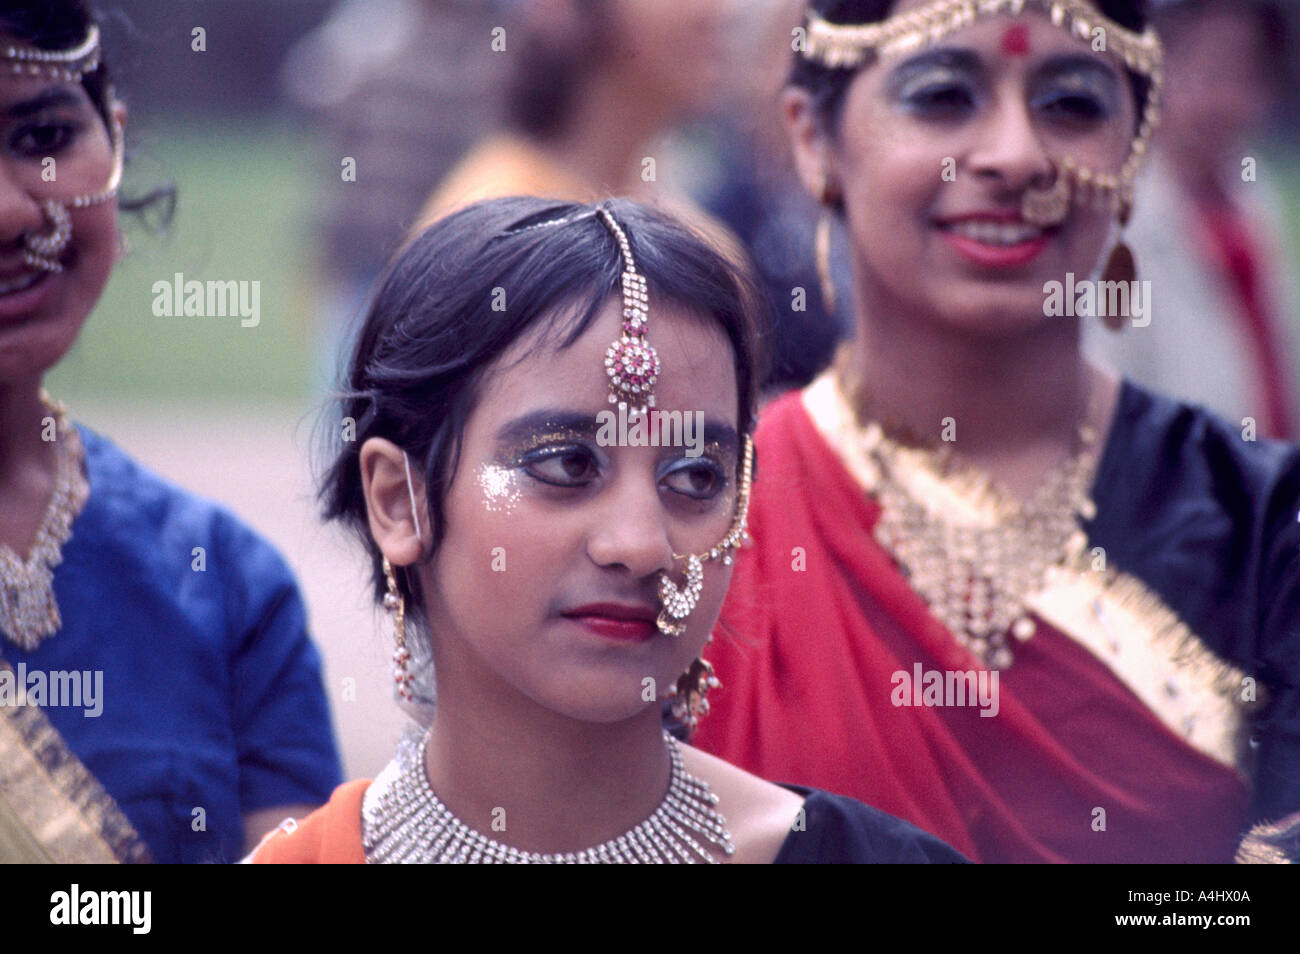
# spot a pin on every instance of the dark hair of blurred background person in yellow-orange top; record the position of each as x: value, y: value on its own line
x: 548, y: 71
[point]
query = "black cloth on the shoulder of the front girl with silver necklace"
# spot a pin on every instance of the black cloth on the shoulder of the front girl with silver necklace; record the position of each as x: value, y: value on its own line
x: 844, y: 831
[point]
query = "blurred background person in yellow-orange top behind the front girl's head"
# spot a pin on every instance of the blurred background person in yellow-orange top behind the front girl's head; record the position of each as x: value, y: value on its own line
x: 593, y: 88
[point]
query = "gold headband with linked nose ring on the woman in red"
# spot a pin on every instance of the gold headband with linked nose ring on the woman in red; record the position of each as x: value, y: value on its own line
x: 850, y: 46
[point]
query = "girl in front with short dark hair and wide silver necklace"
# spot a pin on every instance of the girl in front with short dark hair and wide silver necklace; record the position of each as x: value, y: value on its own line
x: 562, y: 586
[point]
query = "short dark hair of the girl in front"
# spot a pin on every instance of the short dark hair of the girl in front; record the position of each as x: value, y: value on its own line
x: 432, y: 331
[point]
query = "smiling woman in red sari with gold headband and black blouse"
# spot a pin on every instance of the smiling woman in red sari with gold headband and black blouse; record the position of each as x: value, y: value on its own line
x: 967, y: 495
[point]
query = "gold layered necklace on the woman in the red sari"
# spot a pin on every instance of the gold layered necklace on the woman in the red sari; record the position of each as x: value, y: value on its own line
x: 967, y: 547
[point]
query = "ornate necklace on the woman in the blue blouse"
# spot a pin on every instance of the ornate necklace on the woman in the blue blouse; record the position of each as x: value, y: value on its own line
x: 29, y: 613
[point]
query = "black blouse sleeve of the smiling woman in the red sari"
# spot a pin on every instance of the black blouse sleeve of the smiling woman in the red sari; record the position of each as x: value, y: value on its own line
x: 1210, y: 522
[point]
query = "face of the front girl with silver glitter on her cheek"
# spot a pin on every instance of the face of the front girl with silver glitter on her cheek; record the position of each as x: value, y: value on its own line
x: 545, y: 587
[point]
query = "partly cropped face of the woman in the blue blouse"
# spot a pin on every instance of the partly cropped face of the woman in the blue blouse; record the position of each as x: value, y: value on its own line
x: 54, y: 146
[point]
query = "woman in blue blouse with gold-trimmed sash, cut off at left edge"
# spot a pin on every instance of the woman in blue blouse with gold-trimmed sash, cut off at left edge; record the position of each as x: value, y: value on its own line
x: 213, y: 710
